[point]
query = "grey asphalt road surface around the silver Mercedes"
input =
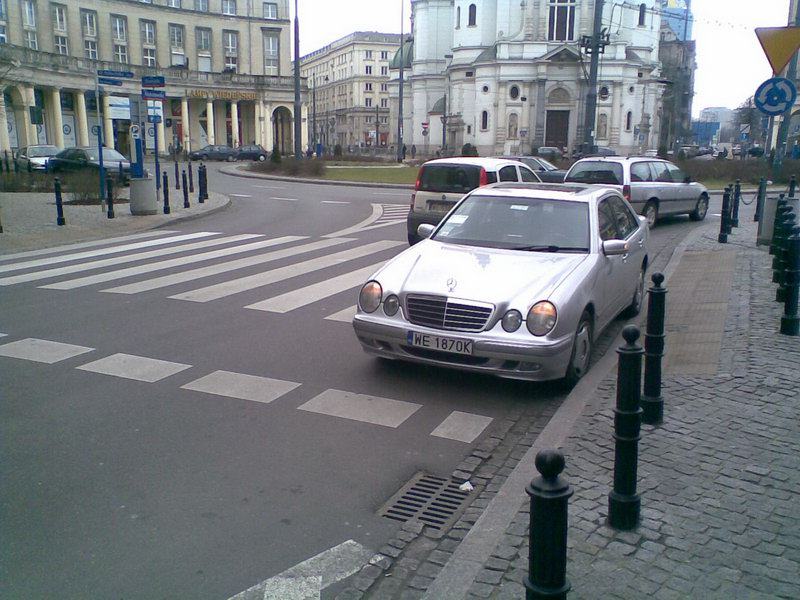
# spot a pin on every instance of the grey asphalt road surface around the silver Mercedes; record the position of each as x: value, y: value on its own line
x: 120, y: 483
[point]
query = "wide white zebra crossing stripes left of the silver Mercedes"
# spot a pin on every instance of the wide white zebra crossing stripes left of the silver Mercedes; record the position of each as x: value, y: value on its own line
x: 180, y: 265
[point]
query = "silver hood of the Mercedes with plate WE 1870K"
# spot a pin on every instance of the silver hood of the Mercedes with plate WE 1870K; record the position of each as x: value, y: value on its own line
x: 477, y: 273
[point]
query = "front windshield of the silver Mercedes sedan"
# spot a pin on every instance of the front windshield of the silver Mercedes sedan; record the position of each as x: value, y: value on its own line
x: 529, y: 224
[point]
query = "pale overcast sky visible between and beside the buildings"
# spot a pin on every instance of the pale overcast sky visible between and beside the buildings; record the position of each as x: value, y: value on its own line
x: 730, y: 62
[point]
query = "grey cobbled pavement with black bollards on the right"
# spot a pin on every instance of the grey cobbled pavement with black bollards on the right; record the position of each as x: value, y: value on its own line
x: 719, y: 480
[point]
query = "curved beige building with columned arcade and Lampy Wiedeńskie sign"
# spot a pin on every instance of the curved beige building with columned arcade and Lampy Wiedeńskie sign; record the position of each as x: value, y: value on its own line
x: 226, y: 65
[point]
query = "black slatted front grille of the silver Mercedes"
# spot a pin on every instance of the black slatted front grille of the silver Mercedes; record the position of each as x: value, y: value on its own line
x: 440, y: 312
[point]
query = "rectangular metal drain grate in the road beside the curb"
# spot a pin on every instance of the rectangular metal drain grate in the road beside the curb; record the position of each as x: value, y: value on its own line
x: 435, y: 501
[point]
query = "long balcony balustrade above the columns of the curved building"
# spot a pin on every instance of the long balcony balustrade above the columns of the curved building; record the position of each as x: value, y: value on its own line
x: 20, y: 58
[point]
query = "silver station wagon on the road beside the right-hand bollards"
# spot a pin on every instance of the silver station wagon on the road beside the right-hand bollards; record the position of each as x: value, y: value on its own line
x: 654, y: 187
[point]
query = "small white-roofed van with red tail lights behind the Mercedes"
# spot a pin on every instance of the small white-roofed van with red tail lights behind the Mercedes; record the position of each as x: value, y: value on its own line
x: 443, y: 181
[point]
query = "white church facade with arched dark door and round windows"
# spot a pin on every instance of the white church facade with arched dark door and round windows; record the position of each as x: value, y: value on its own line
x: 510, y: 76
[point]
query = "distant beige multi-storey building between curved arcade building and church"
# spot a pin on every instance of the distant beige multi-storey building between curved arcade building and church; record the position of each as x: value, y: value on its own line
x: 348, y: 82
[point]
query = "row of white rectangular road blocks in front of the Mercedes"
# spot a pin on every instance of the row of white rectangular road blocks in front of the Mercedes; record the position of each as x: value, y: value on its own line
x: 368, y: 409
